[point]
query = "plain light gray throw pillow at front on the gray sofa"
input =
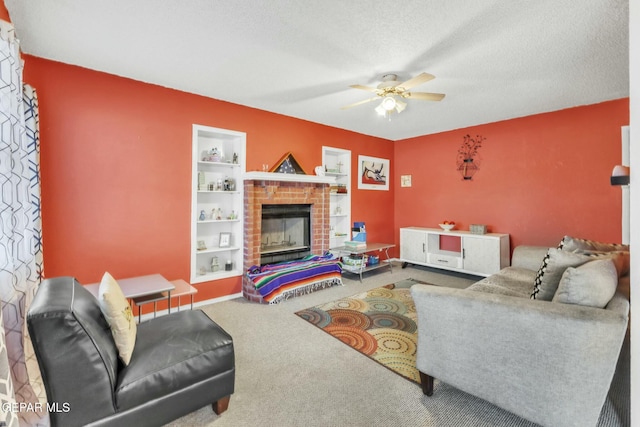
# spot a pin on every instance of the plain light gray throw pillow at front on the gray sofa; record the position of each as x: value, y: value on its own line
x: 592, y: 284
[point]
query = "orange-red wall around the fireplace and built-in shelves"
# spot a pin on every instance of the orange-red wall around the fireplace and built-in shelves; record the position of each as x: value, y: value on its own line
x: 116, y: 171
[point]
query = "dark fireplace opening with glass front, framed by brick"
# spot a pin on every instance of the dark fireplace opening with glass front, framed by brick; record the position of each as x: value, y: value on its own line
x: 286, y: 233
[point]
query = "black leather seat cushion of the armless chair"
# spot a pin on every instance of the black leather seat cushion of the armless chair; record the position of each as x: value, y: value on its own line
x: 174, y: 352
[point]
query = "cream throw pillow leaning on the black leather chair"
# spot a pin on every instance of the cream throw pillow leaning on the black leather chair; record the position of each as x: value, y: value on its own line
x: 117, y: 311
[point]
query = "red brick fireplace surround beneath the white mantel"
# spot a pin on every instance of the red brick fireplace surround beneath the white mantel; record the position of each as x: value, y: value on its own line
x: 258, y: 192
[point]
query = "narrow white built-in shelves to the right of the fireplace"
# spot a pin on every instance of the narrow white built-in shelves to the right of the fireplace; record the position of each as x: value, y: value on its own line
x: 337, y: 163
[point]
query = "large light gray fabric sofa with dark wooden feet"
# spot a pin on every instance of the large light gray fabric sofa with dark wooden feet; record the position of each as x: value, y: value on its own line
x: 548, y: 362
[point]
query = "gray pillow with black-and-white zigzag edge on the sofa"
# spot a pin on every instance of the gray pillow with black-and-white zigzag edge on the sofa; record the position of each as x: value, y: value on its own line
x: 550, y: 272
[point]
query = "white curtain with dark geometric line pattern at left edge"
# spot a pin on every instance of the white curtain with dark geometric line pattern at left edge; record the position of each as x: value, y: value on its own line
x: 21, y: 240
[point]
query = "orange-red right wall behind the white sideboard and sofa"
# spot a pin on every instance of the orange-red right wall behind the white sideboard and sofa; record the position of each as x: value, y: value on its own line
x: 541, y: 177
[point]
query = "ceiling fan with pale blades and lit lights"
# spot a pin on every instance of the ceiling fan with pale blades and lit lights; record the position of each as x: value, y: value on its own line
x: 391, y: 91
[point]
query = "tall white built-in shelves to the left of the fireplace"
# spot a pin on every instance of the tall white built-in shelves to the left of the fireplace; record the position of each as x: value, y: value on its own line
x: 217, y: 203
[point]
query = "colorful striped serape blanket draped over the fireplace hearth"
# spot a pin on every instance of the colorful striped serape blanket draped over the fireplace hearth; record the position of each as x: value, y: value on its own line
x: 281, y: 281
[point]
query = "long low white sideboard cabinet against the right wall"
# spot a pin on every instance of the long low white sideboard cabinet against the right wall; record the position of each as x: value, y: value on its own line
x: 461, y: 251
